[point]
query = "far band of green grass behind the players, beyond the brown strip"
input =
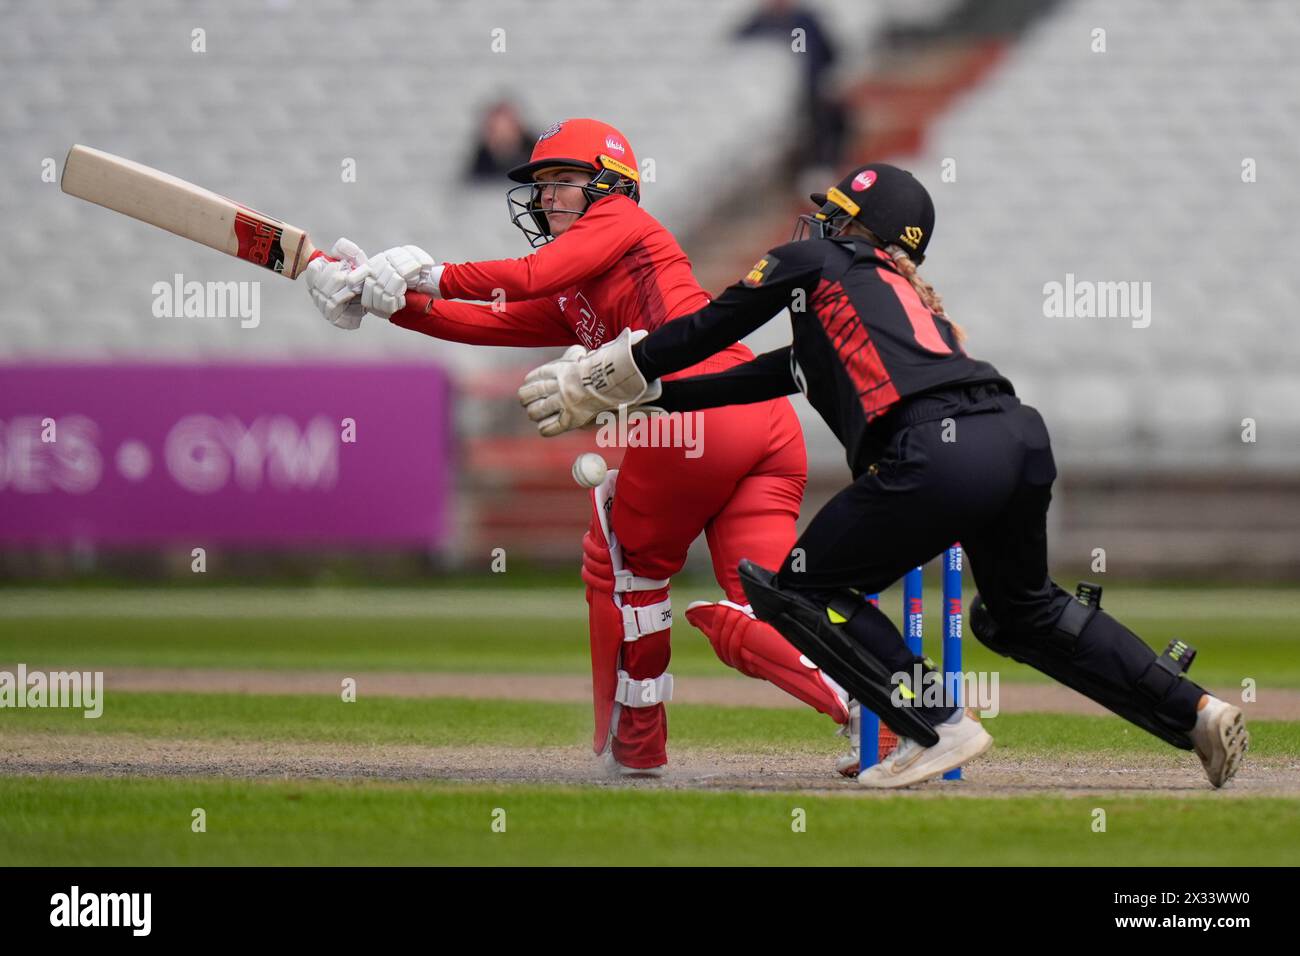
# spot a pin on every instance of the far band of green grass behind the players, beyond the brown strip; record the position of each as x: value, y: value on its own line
x: 1238, y: 633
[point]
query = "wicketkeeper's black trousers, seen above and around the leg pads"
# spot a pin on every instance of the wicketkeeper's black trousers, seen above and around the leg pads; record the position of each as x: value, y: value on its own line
x: 974, y: 468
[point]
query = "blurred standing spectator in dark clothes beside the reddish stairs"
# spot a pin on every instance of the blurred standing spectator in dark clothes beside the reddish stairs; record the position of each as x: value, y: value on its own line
x: 824, y: 115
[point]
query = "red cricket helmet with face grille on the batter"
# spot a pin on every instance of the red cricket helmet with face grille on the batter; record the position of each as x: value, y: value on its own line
x: 582, y: 144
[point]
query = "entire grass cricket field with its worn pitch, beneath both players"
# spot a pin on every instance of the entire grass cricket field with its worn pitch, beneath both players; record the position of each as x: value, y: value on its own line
x: 94, y: 791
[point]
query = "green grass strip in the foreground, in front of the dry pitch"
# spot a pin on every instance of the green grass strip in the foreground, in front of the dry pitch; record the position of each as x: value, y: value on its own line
x: 149, y: 823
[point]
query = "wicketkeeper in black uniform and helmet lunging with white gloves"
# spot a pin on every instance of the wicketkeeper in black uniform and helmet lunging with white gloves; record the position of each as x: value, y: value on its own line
x: 942, y: 451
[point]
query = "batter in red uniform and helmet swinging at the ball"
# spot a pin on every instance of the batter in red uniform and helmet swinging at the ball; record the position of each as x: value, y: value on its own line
x: 603, y: 266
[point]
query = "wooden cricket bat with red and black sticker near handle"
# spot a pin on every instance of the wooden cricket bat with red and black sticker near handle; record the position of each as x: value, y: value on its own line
x: 187, y: 210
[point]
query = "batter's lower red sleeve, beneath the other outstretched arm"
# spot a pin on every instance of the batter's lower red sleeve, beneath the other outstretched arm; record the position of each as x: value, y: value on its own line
x: 521, y: 323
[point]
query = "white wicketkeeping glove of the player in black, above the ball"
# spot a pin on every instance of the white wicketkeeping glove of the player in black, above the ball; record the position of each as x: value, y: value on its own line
x: 569, y: 393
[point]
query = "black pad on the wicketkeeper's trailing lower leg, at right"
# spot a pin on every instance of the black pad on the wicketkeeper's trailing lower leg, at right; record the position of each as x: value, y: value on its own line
x: 1093, y: 654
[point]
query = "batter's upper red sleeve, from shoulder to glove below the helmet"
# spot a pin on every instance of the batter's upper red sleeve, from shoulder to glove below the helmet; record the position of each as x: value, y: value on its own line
x: 591, y: 248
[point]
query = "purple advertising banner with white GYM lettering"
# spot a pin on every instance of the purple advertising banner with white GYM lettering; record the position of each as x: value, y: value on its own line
x: 285, y: 455
